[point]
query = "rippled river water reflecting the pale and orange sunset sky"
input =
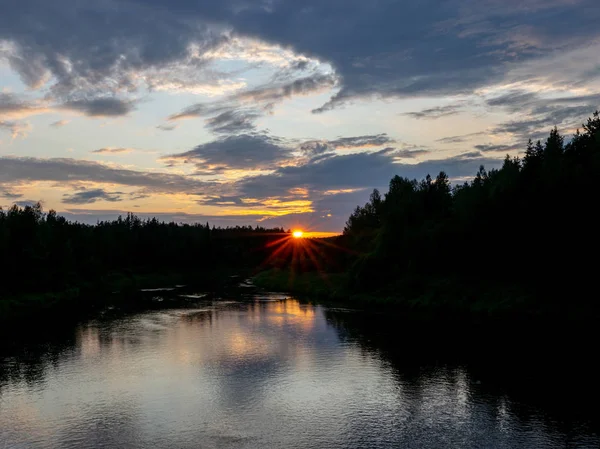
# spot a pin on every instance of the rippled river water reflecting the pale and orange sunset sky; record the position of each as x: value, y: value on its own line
x: 268, y: 373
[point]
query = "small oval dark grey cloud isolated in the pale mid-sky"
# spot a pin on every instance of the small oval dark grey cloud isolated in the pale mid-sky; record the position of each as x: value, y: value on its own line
x: 246, y: 151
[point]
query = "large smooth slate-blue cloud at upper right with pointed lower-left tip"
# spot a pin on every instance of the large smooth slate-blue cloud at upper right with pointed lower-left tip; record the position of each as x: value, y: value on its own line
x: 425, y: 49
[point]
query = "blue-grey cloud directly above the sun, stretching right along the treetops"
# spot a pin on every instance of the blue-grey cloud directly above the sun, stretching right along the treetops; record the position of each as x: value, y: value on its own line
x: 337, y: 183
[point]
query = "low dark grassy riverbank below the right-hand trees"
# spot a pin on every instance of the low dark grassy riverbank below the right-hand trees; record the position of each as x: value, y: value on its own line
x: 430, y: 298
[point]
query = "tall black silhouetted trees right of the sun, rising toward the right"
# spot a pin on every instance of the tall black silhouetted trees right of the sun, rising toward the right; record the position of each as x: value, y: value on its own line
x: 530, y: 224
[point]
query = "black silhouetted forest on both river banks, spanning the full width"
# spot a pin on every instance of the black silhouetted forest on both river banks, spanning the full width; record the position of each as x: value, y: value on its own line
x: 520, y: 237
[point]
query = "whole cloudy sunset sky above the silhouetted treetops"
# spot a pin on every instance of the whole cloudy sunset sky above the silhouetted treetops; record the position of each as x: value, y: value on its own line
x: 277, y: 112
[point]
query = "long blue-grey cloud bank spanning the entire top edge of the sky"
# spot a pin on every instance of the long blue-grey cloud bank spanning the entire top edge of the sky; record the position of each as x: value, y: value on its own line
x: 420, y: 48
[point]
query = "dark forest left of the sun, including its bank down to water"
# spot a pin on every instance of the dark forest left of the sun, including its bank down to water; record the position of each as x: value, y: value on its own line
x: 51, y: 263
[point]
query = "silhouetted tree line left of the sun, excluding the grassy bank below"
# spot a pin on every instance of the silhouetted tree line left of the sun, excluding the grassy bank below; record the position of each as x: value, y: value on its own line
x: 43, y: 252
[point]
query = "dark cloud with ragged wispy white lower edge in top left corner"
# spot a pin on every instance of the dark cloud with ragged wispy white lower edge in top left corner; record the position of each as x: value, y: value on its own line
x: 113, y: 42
